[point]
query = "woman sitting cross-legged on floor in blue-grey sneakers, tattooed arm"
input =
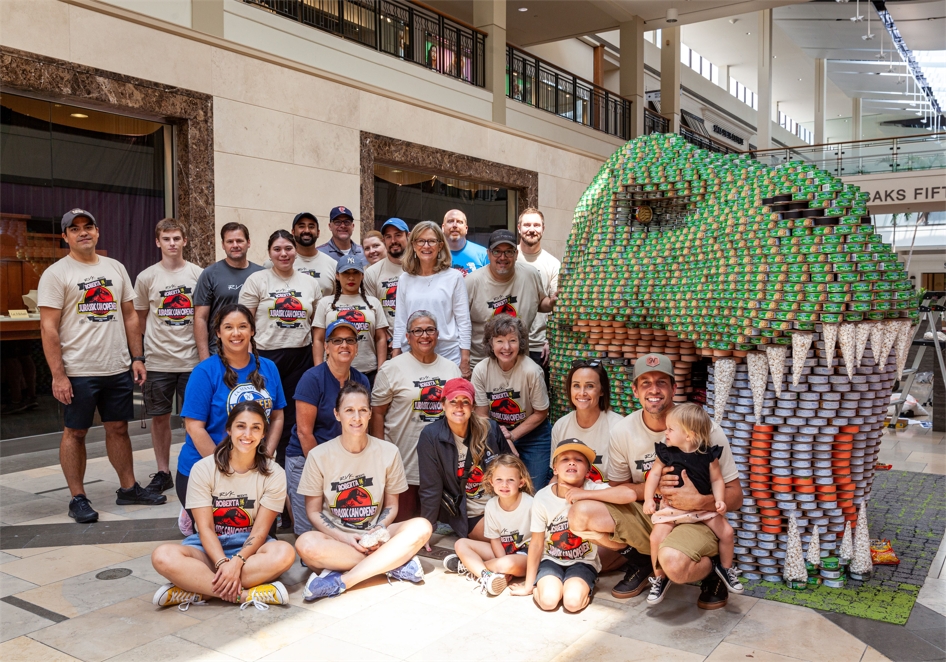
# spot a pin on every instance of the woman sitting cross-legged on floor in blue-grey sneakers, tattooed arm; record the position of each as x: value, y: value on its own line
x: 351, y: 484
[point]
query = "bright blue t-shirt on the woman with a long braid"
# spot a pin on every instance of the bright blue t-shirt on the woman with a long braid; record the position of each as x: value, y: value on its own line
x: 209, y: 399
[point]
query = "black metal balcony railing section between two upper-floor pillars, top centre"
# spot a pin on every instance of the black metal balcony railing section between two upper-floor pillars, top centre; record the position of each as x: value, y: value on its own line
x: 535, y: 82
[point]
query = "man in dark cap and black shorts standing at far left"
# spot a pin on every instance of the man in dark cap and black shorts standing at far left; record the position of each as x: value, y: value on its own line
x: 88, y: 324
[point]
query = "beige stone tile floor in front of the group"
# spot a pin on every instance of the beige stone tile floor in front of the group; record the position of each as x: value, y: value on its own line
x: 52, y: 606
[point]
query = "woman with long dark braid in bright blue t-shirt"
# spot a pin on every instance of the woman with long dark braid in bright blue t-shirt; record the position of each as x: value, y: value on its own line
x: 236, y: 373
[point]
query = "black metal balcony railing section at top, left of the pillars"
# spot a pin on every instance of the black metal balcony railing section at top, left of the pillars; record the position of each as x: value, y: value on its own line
x: 406, y: 31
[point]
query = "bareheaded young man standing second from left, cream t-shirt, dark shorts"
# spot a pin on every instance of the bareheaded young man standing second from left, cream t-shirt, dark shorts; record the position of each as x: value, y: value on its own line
x: 164, y: 299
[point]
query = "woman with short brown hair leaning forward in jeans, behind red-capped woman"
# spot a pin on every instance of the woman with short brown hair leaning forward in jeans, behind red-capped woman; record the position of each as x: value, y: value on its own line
x: 510, y: 389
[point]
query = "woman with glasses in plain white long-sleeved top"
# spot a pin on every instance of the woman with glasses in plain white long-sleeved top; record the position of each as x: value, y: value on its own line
x: 429, y: 283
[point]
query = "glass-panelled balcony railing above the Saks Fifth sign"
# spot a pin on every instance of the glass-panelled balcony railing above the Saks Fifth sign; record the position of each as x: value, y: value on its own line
x: 866, y: 157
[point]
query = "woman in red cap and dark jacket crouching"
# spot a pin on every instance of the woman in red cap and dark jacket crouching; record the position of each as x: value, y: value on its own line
x: 453, y: 454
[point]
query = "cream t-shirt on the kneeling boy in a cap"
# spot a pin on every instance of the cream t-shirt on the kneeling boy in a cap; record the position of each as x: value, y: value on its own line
x: 550, y: 519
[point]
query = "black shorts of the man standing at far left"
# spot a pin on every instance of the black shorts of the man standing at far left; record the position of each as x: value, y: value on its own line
x: 112, y: 395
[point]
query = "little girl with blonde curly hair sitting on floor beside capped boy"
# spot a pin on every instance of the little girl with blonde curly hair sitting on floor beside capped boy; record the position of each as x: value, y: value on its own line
x: 507, y: 521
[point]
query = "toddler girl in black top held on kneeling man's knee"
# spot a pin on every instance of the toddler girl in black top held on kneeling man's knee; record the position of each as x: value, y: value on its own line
x: 687, y: 448
